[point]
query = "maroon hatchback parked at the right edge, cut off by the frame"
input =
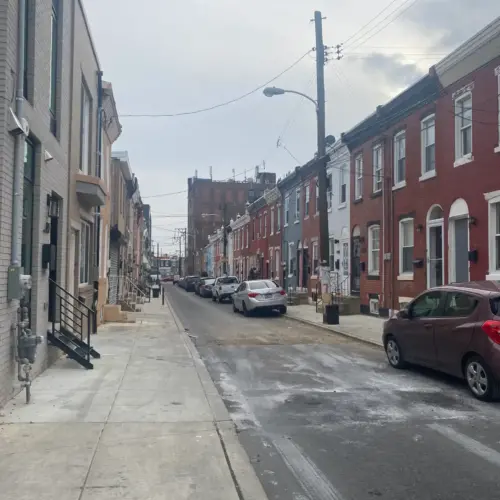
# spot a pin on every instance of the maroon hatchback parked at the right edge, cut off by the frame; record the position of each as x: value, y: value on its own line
x: 454, y: 329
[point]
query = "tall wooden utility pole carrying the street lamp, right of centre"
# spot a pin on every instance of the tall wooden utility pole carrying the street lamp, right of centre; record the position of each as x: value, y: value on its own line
x: 324, y: 249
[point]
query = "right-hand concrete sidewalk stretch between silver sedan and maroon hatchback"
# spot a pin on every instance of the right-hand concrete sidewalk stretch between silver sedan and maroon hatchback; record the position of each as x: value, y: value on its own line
x: 359, y: 326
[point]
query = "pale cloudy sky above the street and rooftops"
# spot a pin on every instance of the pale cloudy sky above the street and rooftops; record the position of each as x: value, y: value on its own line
x: 178, y: 56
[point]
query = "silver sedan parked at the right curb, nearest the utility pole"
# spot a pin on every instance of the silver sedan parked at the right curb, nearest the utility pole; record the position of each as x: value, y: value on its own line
x: 259, y: 295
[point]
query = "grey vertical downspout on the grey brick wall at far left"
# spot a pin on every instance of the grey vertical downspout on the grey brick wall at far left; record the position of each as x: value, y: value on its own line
x: 17, y: 198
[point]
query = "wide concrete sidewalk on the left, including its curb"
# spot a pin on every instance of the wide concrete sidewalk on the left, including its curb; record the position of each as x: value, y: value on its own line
x: 146, y: 424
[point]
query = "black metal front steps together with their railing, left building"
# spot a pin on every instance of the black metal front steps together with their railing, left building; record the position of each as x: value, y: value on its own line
x: 73, y: 323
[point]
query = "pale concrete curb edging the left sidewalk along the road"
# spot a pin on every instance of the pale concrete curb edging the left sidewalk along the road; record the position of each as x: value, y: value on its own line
x: 246, y: 482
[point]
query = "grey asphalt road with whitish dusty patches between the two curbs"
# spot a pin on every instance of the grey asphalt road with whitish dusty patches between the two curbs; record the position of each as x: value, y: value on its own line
x: 325, y: 418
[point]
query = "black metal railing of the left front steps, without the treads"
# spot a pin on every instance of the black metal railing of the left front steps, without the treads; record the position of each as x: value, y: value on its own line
x: 75, y: 319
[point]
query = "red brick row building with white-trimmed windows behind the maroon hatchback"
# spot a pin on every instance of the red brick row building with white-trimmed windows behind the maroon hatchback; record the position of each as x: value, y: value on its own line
x: 425, y: 180
